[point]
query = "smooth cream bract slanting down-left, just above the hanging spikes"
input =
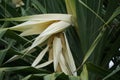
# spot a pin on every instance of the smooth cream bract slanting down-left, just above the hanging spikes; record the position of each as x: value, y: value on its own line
x: 52, y: 29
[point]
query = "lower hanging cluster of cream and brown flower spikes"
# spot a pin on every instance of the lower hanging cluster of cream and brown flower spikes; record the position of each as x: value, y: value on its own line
x: 59, y: 54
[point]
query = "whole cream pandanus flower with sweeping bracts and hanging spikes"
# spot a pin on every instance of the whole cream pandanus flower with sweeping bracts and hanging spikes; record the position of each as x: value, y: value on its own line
x: 50, y: 28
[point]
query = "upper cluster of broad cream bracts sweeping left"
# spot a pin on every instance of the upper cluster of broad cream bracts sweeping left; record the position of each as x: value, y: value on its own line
x: 45, y: 25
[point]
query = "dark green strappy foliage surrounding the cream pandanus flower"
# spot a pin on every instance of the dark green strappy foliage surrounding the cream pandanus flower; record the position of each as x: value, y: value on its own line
x: 94, y: 40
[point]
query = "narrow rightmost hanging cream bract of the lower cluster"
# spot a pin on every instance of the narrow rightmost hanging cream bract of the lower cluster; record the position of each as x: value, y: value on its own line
x: 69, y: 58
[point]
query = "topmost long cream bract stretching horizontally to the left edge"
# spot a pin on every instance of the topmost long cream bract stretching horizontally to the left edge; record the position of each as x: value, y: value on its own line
x: 42, y: 17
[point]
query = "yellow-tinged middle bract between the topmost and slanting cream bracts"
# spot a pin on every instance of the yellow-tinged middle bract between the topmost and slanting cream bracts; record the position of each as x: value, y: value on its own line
x: 32, y: 27
